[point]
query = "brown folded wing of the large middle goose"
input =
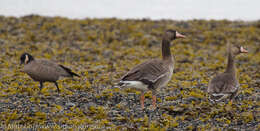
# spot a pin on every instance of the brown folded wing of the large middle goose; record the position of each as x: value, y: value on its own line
x: 148, y: 72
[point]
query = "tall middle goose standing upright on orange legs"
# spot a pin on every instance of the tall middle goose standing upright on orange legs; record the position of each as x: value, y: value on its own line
x: 152, y: 74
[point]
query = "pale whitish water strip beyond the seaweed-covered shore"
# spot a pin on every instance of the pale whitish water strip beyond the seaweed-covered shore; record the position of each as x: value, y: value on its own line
x: 154, y: 9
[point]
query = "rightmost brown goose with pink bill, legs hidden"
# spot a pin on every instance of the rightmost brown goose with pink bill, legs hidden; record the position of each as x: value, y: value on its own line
x: 225, y: 85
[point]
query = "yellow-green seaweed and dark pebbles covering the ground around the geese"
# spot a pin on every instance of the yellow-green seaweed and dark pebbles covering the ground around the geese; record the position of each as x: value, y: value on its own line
x: 102, y: 50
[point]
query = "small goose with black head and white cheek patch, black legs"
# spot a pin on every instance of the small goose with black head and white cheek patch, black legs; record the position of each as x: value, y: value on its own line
x: 43, y: 70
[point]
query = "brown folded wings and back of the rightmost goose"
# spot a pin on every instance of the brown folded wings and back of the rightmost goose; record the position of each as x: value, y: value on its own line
x: 223, y: 83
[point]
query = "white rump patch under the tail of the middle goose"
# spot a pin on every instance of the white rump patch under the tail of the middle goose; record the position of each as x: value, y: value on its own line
x: 134, y: 84
